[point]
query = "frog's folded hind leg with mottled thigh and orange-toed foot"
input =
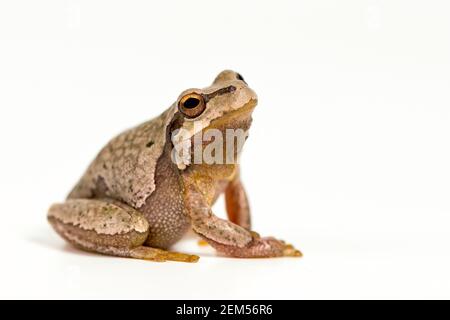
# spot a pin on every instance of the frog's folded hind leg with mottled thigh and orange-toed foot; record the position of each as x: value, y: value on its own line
x: 108, y: 227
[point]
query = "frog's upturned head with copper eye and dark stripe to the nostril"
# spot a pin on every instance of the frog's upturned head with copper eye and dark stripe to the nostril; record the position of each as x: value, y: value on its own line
x: 225, y: 107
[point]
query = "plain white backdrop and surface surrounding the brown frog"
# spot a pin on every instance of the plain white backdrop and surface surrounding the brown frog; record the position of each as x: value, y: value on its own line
x: 348, y: 156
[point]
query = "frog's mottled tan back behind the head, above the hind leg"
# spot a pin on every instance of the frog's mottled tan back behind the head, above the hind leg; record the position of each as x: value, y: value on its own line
x: 125, y: 168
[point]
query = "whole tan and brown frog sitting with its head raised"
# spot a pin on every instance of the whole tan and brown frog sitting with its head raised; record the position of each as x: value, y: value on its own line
x: 143, y: 192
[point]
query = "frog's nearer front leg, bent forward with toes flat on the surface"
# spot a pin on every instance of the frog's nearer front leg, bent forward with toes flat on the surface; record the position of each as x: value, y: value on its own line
x: 227, y: 237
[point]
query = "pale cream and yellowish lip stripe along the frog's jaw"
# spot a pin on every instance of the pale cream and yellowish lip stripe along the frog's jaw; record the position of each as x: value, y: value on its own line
x: 182, y: 137
